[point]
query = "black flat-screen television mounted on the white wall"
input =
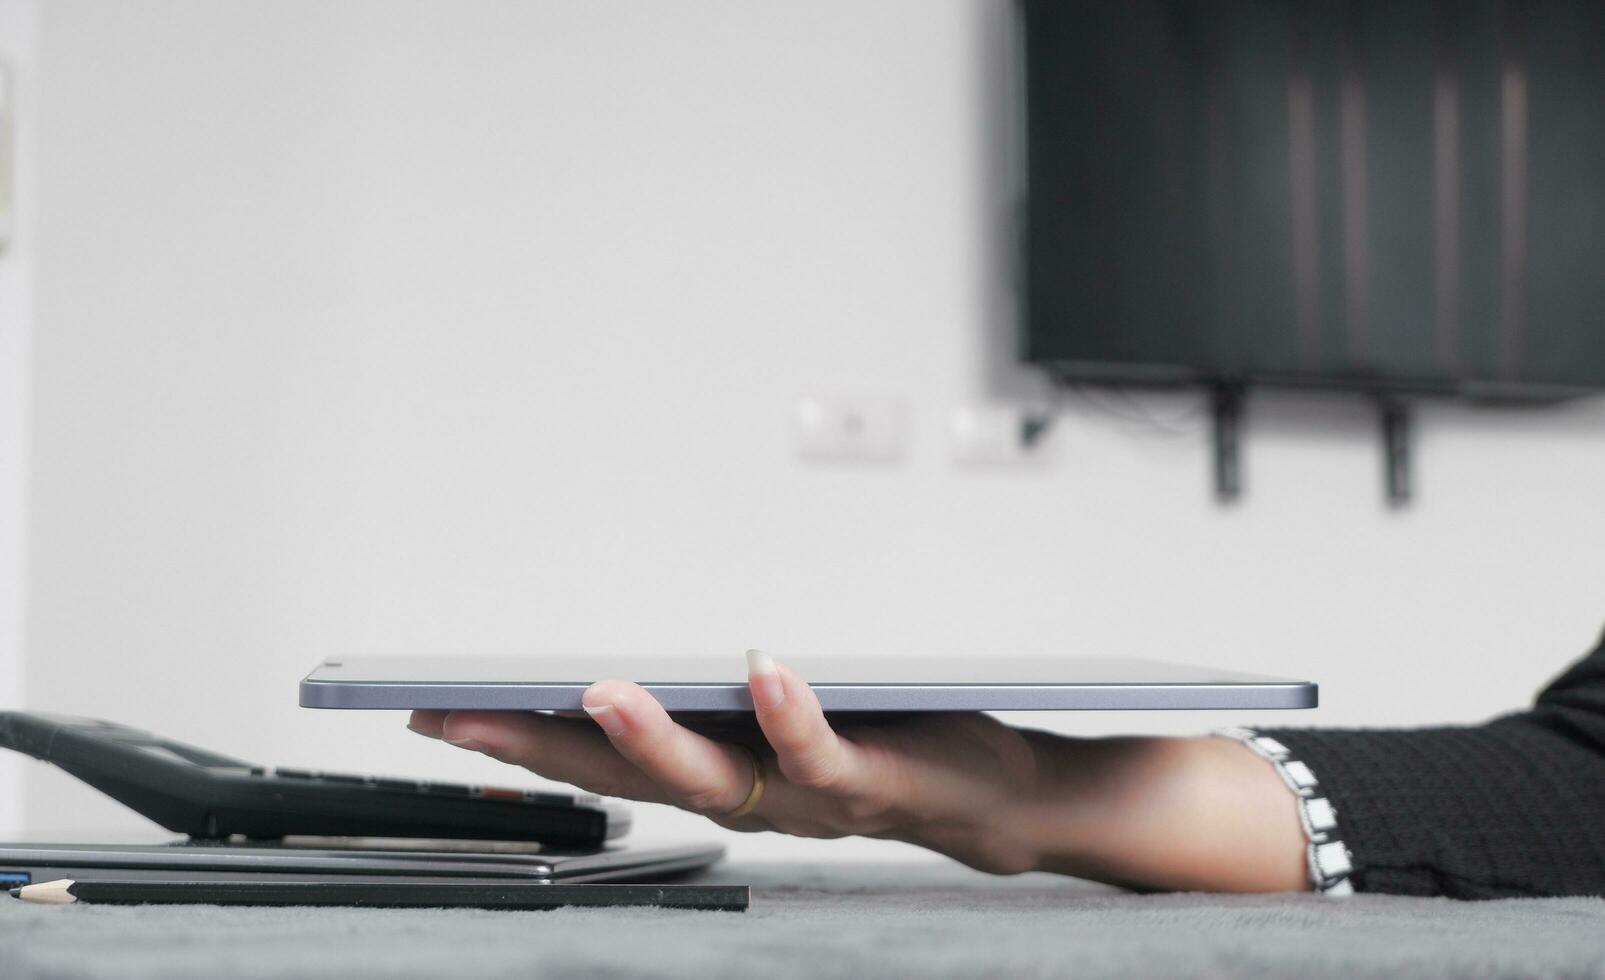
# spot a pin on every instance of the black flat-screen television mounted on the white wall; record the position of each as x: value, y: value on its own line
x: 1399, y: 196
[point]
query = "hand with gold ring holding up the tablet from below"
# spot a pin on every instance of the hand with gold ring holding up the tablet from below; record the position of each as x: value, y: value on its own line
x: 957, y: 784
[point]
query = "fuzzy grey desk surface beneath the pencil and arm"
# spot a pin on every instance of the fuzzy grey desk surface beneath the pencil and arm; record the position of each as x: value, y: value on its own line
x: 832, y: 921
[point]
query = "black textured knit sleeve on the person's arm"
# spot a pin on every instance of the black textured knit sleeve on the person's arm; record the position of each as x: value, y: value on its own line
x: 1511, y: 808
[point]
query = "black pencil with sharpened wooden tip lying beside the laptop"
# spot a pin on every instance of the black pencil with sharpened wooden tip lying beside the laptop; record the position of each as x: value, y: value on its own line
x: 497, y: 896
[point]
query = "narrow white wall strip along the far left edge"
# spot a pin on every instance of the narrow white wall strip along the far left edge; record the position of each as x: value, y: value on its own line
x: 18, y: 55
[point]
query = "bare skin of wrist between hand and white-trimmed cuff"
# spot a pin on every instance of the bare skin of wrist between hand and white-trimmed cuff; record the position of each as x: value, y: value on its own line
x: 1184, y: 814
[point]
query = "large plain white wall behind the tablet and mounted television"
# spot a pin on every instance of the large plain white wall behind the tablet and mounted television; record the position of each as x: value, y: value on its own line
x: 476, y: 326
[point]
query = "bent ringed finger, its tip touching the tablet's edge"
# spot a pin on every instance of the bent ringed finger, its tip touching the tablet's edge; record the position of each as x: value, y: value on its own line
x: 697, y: 772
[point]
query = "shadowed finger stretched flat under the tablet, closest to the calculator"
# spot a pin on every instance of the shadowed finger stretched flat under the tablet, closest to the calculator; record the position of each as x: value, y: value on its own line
x: 564, y: 750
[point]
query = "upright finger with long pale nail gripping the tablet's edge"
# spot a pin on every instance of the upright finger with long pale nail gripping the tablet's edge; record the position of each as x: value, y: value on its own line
x: 807, y: 750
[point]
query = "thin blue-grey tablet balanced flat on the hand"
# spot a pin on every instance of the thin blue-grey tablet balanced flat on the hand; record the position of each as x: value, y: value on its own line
x: 880, y: 684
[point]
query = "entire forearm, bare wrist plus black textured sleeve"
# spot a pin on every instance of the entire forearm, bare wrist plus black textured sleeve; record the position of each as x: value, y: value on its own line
x: 1513, y: 808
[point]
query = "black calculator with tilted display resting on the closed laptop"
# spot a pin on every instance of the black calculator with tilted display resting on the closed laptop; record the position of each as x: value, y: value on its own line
x: 211, y: 796
